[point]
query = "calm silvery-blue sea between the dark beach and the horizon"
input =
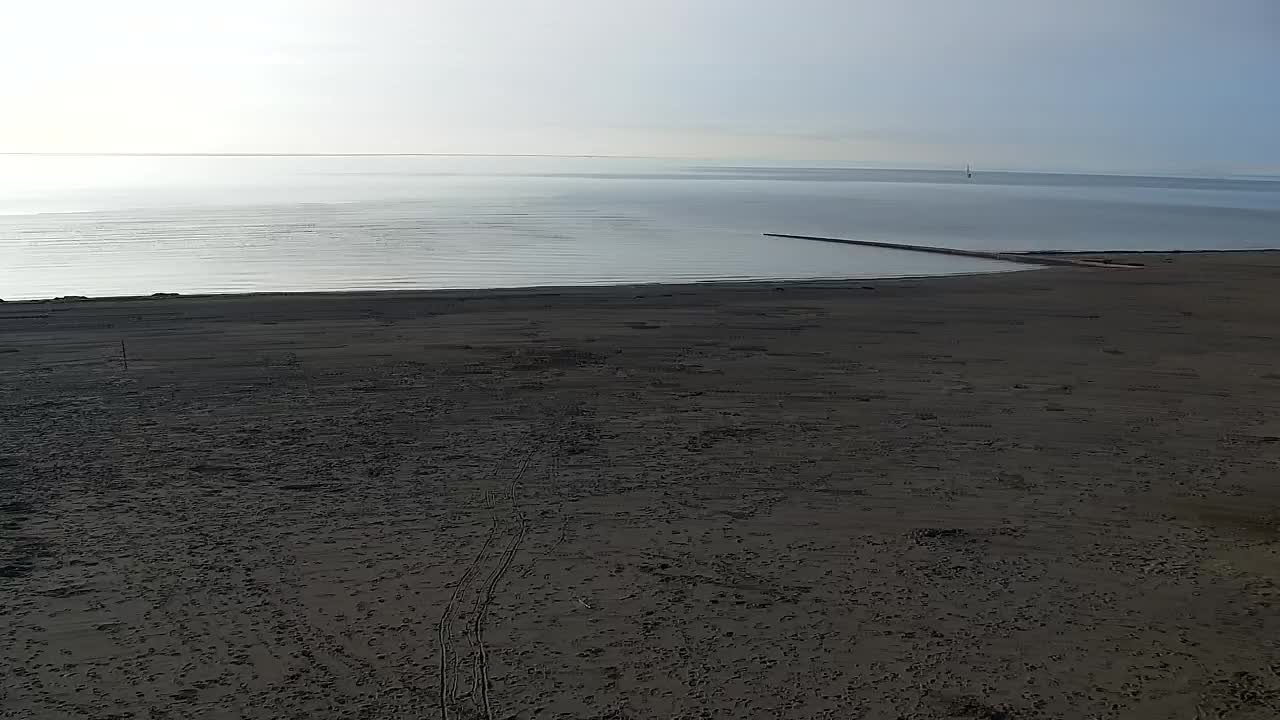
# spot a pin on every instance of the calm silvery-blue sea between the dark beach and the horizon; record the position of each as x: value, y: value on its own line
x: 134, y: 226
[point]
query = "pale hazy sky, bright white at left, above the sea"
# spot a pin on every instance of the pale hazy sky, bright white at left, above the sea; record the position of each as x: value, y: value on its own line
x: 1176, y: 86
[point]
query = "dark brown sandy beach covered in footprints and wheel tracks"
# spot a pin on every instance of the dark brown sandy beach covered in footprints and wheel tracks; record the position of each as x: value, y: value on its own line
x: 1039, y: 495
